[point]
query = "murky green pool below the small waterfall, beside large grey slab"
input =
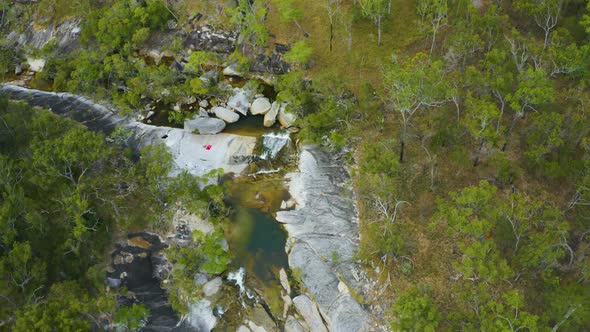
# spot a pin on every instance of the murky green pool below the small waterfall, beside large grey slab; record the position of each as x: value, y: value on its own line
x: 257, y: 241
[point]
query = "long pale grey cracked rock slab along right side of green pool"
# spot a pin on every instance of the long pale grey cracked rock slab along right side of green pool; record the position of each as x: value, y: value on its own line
x: 323, y: 222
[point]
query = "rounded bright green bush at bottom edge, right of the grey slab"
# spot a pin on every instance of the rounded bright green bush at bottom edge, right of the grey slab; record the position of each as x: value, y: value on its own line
x: 414, y: 310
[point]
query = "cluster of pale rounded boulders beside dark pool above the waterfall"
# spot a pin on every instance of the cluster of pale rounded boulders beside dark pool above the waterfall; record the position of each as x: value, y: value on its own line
x: 212, y: 120
